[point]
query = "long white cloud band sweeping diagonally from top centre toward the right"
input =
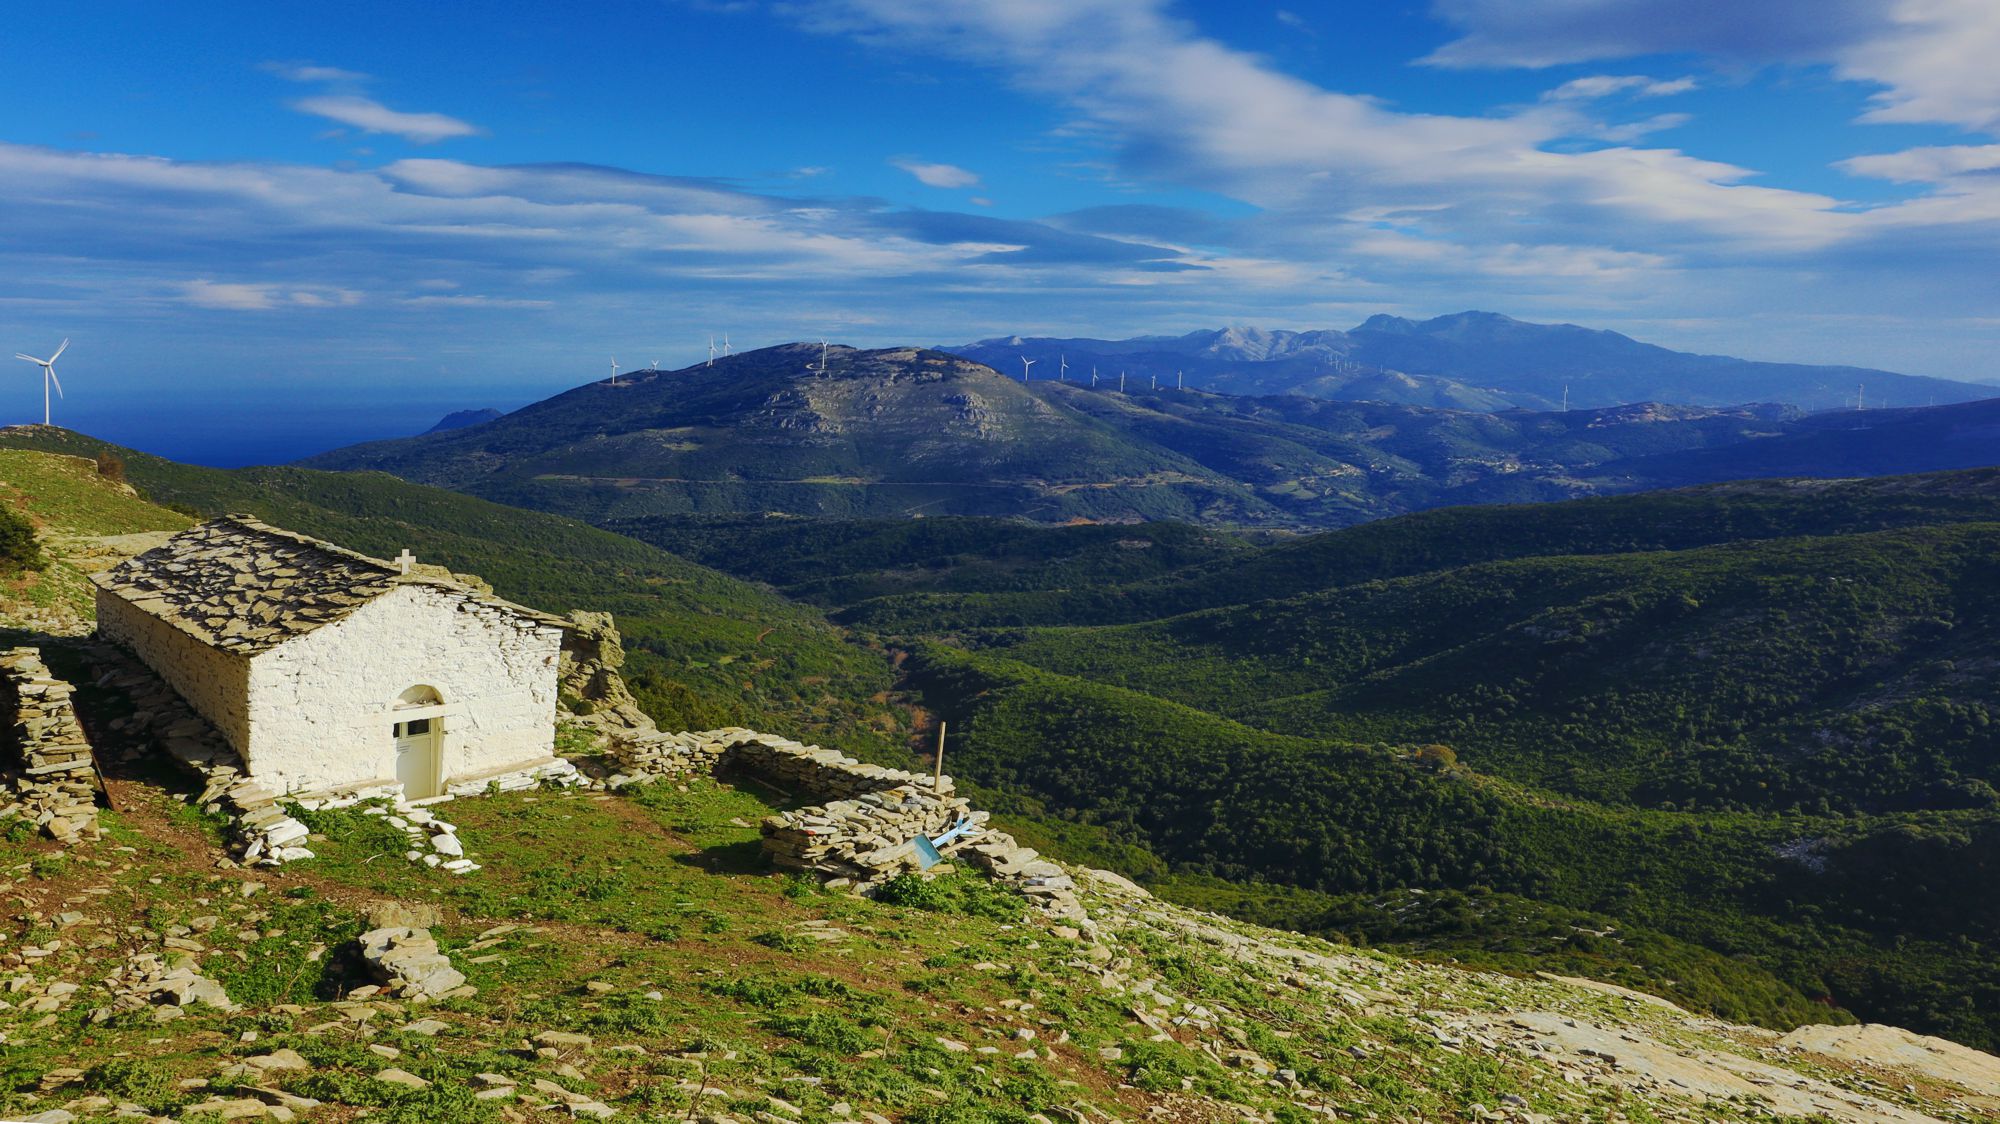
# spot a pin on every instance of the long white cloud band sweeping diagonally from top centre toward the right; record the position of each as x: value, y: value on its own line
x: 1187, y: 109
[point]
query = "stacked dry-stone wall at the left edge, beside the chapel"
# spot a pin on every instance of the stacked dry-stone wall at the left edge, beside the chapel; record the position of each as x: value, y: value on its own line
x: 53, y: 779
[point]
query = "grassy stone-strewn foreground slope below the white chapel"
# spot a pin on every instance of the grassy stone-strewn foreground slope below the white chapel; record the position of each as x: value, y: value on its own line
x: 645, y: 925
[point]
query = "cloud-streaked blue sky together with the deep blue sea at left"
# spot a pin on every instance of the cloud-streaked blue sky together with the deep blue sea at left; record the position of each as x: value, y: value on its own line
x: 283, y: 227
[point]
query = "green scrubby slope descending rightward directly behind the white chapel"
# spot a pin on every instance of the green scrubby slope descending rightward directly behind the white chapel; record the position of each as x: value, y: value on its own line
x: 707, y: 649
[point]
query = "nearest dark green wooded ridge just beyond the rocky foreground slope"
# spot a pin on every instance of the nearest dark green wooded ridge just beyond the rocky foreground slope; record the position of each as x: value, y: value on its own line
x: 1867, y: 925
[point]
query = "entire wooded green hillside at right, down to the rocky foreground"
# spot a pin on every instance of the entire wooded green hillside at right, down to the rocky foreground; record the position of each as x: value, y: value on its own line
x: 1753, y: 719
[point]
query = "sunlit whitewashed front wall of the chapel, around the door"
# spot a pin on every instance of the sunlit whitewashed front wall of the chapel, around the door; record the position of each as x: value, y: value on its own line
x: 321, y: 705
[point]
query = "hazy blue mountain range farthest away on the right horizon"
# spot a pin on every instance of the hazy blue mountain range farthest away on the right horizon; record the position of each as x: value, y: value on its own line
x: 1469, y: 361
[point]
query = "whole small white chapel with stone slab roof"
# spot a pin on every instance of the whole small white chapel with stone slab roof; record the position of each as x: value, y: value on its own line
x: 337, y: 673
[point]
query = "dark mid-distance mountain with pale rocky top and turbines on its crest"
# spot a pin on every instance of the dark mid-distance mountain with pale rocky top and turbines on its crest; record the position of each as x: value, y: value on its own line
x: 917, y: 433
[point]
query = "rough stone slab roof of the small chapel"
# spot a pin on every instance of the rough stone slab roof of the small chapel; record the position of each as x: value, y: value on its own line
x: 247, y: 587
